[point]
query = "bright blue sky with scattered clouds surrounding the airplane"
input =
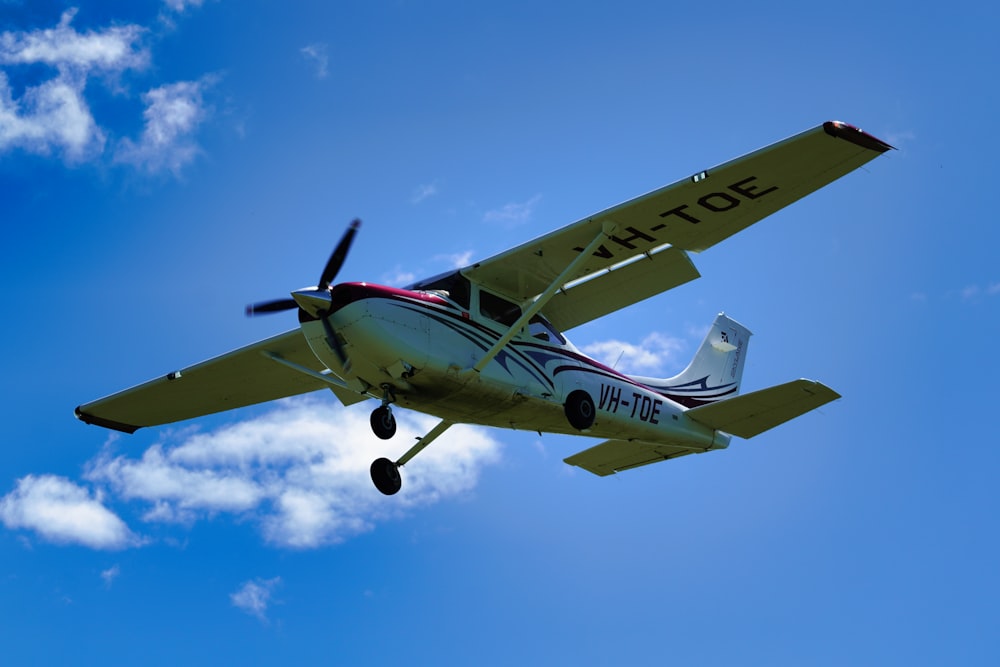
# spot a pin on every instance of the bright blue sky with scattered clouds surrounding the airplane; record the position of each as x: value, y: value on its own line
x: 164, y: 163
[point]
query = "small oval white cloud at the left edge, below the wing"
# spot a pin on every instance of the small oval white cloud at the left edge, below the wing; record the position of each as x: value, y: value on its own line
x: 63, y: 512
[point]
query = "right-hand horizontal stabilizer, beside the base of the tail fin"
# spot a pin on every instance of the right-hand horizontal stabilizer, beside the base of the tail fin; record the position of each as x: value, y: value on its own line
x: 756, y: 412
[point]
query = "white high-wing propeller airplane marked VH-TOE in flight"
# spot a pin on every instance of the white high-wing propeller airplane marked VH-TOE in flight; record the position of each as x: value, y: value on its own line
x: 485, y: 345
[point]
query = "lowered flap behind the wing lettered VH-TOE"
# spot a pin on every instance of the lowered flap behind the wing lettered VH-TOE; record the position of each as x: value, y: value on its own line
x: 620, y: 286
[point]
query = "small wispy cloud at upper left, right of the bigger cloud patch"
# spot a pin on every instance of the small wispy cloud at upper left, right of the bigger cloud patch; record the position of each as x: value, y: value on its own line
x: 173, y: 112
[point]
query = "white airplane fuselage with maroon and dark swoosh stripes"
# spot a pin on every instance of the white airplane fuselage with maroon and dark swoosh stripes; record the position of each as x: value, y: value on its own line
x: 424, y: 346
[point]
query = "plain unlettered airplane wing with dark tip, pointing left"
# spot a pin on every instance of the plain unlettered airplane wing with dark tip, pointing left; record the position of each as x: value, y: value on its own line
x: 239, y: 378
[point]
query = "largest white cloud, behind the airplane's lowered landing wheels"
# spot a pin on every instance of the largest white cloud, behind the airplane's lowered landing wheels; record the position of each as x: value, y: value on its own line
x: 300, y: 472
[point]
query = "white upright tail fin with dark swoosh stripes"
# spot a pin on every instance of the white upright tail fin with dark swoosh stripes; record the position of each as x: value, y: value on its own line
x: 715, y: 372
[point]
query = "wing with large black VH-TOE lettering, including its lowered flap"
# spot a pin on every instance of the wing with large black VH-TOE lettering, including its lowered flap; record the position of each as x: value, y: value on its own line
x: 690, y: 215
